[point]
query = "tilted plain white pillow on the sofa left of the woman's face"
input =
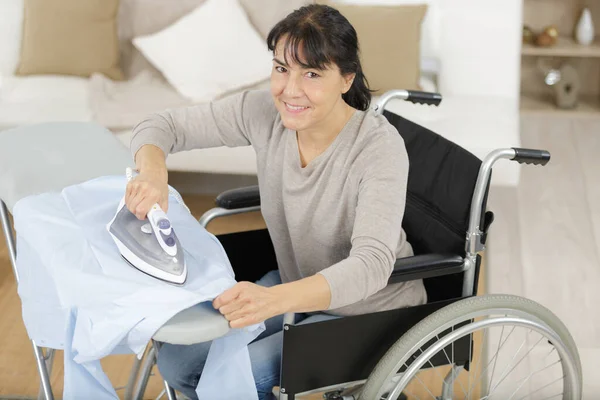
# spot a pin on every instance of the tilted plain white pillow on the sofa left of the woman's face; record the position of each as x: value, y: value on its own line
x: 209, y: 52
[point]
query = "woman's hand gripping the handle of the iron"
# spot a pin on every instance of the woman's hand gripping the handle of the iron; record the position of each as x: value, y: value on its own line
x: 144, y: 191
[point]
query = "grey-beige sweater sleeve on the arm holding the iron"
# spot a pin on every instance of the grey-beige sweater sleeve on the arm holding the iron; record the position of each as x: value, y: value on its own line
x: 242, y: 119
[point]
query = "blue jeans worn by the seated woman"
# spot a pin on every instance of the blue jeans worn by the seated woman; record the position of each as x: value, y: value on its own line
x: 181, y: 365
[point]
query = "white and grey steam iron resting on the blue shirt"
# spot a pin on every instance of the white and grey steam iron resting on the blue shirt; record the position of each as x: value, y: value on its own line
x: 149, y: 245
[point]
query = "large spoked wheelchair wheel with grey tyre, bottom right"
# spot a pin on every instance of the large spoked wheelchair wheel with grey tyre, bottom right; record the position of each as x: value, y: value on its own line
x: 539, y: 358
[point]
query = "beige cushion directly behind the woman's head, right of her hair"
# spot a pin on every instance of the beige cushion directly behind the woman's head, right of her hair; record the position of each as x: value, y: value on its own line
x: 389, y: 41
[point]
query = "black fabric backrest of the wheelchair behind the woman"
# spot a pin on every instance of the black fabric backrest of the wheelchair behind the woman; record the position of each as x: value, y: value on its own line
x: 441, y: 180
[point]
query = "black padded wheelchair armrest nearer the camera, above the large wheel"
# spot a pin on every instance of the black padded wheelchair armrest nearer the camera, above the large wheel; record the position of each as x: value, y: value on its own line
x: 425, y: 266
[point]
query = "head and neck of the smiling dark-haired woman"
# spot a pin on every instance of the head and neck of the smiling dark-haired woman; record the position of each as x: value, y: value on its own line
x: 316, y: 59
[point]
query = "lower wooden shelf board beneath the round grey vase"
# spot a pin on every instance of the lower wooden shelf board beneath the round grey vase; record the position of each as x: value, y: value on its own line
x: 588, y: 107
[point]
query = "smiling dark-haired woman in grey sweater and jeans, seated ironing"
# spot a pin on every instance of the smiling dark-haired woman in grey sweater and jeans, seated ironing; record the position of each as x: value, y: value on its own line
x: 332, y: 176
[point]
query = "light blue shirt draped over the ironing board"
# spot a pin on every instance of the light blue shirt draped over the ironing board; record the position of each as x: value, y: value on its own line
x: 79, y: 295
